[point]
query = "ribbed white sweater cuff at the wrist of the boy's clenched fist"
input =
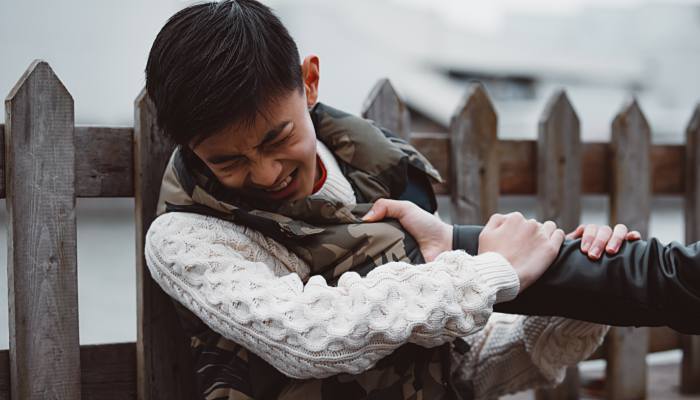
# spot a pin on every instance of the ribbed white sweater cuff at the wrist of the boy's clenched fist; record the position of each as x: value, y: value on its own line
x: 497, y: 272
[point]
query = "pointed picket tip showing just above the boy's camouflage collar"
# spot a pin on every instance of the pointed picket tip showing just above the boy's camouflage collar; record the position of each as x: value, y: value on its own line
x: 384, y: 106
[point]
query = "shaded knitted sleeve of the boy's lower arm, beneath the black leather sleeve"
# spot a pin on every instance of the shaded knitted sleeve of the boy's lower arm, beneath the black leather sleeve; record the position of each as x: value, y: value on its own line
x: 515, y: 352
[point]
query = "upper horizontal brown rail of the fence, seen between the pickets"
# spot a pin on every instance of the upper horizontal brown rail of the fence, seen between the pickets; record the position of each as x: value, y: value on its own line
x: 104, y: 166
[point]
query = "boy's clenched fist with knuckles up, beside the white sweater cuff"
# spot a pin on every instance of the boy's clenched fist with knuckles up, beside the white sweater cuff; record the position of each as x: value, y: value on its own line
x: 529, y: 246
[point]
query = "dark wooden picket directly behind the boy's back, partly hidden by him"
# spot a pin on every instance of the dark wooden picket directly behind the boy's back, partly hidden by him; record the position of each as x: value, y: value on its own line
x: 163, y: 361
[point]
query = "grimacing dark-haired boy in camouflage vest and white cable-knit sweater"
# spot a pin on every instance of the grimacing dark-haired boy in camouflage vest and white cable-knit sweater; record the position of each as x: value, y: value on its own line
x: 285, y: 290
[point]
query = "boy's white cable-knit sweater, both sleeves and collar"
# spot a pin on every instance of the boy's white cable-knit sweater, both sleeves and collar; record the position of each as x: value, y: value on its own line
x: 250, y: 289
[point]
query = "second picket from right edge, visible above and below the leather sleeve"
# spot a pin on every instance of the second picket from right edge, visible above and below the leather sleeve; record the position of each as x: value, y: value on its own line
x: 627, y: 347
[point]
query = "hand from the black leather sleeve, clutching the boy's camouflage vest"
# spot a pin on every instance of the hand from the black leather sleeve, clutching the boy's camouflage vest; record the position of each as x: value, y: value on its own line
x: 433, y: 235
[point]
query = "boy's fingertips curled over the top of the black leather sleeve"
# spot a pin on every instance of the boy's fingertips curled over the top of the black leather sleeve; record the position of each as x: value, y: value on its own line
x: 594, y: 238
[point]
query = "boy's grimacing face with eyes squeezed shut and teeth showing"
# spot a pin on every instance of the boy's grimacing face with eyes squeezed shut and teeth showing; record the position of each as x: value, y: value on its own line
x: 275, y: 157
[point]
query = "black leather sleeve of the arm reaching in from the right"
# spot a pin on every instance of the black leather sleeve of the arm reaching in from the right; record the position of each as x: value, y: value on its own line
x: 646, y: 283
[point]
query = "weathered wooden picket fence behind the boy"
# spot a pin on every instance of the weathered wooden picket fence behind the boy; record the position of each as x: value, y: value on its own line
x: 48, y: 162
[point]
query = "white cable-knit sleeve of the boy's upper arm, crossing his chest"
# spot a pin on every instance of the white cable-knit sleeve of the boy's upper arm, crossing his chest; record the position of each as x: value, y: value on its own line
x: 314, y: 330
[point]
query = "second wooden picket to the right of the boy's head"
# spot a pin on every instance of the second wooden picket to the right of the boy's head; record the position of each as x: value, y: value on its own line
x: 474, y: 164
